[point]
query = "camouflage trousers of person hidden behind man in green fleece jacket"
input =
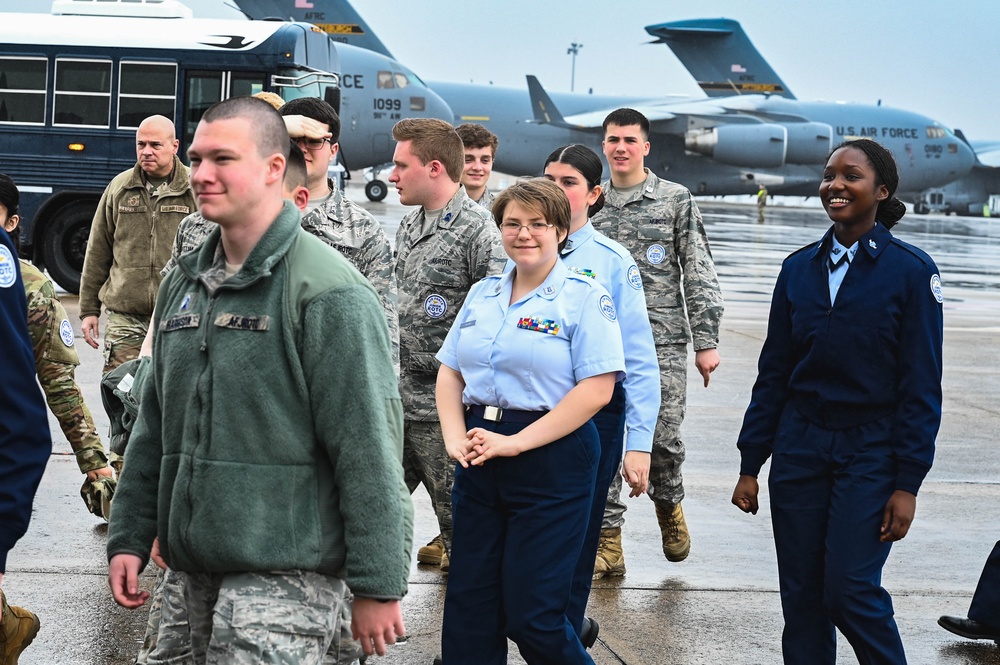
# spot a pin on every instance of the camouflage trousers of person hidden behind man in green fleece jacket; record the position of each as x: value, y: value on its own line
x: 168, y: 631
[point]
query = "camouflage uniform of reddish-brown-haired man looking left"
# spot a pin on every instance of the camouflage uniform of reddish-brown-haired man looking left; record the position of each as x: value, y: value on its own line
x: 437, y: 261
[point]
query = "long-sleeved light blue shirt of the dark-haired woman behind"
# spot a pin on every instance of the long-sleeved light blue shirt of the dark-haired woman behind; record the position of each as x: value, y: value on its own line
x: 592, y: 254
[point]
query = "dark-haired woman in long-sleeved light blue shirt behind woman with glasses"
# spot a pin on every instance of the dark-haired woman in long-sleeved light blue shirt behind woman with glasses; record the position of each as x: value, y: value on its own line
x: 577, y: 169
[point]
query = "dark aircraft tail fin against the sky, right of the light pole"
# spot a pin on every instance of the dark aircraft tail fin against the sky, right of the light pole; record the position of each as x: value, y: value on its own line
x: 720, y: 56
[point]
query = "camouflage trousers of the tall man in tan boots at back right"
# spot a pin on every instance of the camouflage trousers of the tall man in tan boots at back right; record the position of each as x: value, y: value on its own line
x: 666, y: 484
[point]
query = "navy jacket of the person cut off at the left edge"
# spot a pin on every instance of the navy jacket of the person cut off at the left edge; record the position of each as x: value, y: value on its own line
x: 25, y: 443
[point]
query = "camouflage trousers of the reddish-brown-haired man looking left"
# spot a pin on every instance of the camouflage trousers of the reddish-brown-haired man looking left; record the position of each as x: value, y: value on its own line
x: 426, y: 461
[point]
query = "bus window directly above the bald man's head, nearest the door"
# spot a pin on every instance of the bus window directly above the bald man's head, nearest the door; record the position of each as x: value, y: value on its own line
x: 145, y: 89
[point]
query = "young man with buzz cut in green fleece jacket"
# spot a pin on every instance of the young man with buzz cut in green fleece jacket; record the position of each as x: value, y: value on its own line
x: 266, y: 459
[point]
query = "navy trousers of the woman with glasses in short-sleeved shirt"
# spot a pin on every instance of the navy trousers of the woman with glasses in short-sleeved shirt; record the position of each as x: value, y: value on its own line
x: 518, y: 534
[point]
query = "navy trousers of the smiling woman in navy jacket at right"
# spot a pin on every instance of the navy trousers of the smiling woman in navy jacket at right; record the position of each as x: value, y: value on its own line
x: 828, y: 490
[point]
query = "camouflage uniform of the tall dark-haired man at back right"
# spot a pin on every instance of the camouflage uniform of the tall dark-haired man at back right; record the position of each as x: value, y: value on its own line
x: 661, y: 226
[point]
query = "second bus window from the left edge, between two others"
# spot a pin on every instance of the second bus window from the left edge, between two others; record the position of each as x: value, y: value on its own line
x: 83, y: 92
